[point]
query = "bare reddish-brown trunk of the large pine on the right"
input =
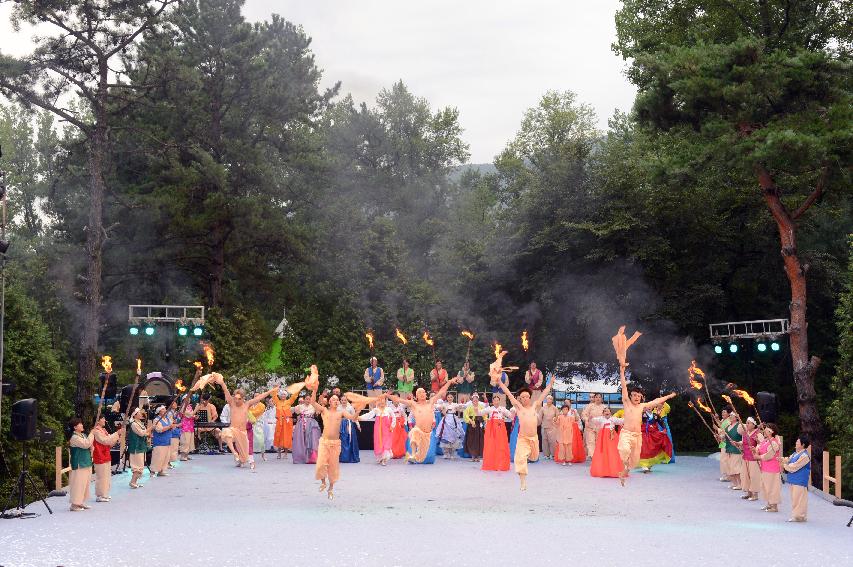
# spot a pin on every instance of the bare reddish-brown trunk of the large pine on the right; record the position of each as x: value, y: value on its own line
x: 804, y: 367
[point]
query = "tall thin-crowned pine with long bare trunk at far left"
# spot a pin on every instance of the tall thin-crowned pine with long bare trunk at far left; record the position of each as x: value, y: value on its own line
x: 85, y: 57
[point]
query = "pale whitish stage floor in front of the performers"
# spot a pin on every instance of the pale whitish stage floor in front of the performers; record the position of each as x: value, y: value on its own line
x: 210, y: 513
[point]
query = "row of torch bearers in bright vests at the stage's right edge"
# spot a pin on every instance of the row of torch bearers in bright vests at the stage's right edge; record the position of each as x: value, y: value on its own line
x: 751, y: 460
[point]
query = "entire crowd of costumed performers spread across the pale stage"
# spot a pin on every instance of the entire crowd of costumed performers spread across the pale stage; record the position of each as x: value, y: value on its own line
x: 322, y: 429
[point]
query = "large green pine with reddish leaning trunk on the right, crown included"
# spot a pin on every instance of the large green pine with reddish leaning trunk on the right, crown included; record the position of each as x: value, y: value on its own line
x: 761, y: 88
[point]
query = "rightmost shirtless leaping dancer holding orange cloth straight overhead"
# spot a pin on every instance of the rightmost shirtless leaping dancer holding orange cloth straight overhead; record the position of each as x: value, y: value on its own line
x: 631, y: 436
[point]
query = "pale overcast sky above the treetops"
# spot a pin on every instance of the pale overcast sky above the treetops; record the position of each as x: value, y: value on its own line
x: 491, y: 59
